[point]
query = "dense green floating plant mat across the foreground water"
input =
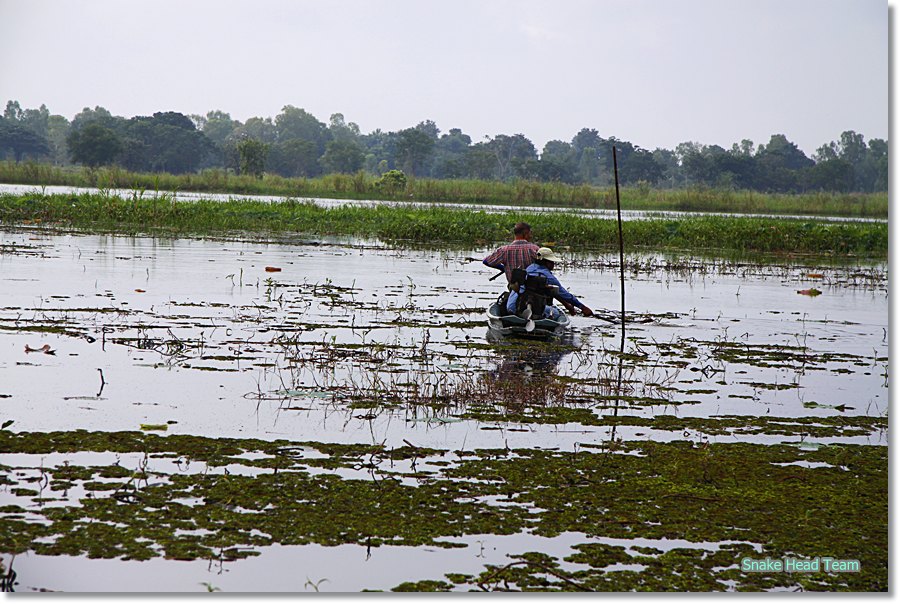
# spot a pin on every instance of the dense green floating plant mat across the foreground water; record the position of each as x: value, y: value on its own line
x: 752, y: 499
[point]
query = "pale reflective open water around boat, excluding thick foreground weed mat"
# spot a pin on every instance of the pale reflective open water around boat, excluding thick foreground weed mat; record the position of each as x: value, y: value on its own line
x: 198, y: 336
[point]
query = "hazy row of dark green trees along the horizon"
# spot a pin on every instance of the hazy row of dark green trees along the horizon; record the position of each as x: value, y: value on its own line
x: 297, y: 144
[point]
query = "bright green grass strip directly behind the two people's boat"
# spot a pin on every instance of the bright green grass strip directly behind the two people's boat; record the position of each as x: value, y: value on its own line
x: 441, y: 225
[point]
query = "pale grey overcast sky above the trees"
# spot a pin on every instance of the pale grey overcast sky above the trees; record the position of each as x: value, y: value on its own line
x: 653, y: 72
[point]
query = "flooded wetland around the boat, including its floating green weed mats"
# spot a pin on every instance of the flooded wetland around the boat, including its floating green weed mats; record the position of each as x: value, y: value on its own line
x: 335, y: 416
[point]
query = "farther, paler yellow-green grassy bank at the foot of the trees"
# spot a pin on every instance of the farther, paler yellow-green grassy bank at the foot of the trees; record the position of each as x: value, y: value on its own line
x: 363, y: 186
